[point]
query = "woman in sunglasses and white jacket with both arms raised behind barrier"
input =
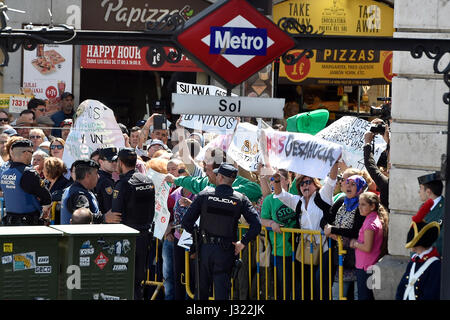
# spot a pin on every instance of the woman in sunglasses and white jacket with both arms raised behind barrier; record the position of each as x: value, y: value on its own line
x: 311, y: 203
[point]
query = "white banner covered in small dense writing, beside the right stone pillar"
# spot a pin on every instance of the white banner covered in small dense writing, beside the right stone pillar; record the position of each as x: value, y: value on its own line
x: 349, y: 132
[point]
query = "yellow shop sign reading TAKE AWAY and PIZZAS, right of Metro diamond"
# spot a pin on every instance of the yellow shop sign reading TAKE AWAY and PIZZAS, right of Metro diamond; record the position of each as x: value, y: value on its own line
x: 340, y: 66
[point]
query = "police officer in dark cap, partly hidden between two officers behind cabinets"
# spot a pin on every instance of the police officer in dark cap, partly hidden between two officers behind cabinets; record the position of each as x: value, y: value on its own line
x: 108, y: 164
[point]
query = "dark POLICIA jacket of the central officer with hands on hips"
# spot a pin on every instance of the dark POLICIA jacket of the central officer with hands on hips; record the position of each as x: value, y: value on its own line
x: 220, y: 210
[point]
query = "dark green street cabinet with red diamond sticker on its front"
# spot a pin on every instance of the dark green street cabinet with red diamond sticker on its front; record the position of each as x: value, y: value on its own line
x: 97, y: 261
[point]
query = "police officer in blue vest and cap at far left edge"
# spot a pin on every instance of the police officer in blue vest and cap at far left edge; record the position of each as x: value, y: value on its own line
x: 24, y: 191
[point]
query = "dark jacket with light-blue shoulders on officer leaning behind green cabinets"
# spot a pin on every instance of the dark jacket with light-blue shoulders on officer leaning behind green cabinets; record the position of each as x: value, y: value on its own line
x: 77, y: 196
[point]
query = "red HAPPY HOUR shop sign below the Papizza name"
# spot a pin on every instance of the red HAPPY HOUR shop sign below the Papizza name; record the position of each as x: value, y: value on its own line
x: 131, y: 58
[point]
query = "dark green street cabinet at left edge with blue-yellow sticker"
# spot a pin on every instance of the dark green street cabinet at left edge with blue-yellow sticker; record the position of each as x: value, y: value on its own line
x: 29, y: 268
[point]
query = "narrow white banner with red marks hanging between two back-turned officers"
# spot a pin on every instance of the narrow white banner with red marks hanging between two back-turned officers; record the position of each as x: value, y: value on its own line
x: 162, y: 214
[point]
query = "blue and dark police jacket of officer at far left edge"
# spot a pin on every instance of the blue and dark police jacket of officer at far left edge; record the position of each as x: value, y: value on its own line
x: 24, y: 191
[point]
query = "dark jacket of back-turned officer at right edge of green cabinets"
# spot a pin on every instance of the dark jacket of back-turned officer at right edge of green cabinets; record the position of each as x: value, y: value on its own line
x: 134, y: 198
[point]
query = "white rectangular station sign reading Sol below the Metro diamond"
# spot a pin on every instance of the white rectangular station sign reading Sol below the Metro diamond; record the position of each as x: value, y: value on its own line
x: 227, y: 106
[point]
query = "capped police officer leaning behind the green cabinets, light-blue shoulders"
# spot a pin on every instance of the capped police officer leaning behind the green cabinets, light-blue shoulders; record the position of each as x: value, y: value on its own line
x: 79, y: 194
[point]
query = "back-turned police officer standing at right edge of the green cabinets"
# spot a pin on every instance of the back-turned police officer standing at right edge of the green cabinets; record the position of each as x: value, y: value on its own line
x: 134, y: 201
